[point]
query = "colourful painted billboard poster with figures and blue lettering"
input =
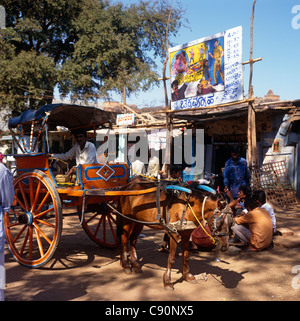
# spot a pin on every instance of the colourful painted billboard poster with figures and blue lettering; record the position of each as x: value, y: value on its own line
x: 207, y: 71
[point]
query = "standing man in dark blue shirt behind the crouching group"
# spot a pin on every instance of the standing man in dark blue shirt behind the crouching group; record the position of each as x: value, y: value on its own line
x: 236, y: 173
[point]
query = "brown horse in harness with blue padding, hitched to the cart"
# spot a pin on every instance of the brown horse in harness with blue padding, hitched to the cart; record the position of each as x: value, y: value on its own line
x: 193, y: 207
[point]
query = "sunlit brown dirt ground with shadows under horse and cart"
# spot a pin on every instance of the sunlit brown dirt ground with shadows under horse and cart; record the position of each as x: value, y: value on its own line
x: 82, y: 271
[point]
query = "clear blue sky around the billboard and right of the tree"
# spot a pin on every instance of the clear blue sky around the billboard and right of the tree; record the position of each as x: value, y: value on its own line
x: 275, y: 40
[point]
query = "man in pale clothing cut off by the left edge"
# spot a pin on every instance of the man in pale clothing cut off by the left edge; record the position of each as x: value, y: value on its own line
x: 6, y: 199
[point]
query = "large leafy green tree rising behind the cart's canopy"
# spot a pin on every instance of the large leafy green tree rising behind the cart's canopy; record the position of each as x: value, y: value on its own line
x: 87, y: 48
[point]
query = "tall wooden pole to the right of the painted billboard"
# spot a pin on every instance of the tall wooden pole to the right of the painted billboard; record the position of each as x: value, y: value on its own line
x: 251, y: 134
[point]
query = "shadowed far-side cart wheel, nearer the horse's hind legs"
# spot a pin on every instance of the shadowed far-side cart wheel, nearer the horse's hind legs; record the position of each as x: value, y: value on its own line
x: 101, y: 225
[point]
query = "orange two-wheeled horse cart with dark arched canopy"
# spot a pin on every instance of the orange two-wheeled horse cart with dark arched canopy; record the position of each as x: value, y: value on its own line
x: 33, y: 227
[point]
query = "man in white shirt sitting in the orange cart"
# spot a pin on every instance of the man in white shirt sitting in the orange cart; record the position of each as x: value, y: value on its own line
x: 83, y: 151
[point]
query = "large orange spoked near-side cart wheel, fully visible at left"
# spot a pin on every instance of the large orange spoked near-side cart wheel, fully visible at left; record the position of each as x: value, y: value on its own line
x: 34, y: 224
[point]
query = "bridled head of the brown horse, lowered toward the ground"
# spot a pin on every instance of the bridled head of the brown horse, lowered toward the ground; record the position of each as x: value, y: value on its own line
x: 221, y: 227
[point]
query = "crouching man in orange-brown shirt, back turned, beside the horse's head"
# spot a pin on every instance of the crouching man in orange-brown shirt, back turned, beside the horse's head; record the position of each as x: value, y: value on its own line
x: 258, y: 233
